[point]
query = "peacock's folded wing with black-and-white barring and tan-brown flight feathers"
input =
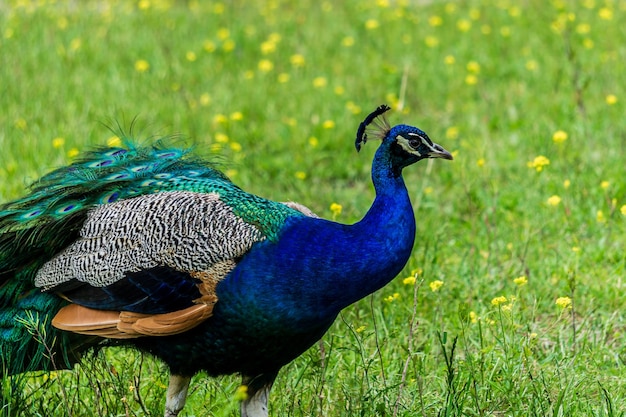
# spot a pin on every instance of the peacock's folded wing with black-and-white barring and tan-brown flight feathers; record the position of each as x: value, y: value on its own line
x: 154, y: 260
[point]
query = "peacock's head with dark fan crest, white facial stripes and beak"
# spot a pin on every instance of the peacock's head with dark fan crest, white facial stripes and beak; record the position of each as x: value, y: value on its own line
x: 406, y: 144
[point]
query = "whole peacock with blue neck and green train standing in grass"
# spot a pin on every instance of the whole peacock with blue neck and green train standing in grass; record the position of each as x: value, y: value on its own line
x: 153, y: 247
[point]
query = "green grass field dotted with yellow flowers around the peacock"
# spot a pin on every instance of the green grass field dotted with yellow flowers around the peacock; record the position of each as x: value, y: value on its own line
x: 512, y: 304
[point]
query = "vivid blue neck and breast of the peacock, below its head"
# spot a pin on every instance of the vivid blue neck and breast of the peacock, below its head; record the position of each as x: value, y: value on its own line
x: 318, y: 267
